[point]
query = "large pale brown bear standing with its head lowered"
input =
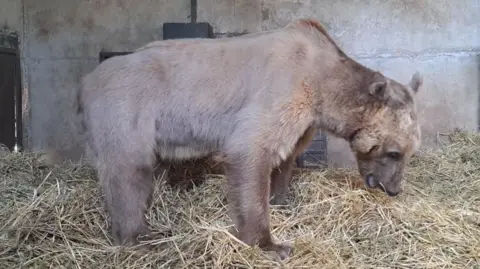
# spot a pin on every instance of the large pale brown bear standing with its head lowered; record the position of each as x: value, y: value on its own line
x: 255, y: 101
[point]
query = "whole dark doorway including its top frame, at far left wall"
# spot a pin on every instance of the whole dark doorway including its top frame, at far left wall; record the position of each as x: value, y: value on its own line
x: 10, y: 92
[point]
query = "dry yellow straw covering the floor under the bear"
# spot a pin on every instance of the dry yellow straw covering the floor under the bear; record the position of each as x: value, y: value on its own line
x: 53, y: 218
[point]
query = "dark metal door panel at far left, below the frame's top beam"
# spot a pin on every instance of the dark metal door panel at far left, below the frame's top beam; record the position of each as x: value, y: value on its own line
x: 8, y: 88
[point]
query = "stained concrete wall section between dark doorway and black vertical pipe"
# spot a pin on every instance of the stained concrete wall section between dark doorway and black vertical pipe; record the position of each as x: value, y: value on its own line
x: 63, y: 41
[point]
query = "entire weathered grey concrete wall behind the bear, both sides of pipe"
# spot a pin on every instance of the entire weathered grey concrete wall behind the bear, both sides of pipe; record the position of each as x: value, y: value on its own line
x: 440, y: 39
